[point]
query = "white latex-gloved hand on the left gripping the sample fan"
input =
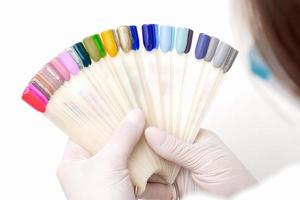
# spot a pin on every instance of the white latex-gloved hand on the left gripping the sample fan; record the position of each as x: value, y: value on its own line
x: 105, y: 175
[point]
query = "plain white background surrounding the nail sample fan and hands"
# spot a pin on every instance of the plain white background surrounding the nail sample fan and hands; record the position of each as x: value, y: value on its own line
x: 264, y: 135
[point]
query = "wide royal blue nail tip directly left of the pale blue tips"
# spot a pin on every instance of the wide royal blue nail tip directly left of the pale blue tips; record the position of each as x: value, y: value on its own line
x: 150, y: 36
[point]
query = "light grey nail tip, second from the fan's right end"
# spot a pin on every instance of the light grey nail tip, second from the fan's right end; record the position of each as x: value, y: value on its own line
x: 221, y: 54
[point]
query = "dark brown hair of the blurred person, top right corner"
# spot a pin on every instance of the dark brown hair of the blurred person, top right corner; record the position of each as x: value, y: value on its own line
x: 276, y: 29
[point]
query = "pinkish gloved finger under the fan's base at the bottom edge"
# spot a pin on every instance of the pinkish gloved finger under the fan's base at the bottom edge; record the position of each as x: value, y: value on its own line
x: 158, y: 191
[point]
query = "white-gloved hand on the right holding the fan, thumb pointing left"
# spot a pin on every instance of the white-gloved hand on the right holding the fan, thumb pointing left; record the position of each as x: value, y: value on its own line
x: 207, y: 166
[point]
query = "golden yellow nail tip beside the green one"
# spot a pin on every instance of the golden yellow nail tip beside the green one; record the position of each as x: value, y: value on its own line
x: 110, y: 43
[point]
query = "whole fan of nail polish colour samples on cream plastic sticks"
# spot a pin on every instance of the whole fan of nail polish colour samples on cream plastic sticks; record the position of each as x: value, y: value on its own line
x: 171, y: 83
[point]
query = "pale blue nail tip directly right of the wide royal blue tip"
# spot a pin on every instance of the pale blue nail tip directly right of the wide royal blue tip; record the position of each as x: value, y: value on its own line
x: 166, y: 38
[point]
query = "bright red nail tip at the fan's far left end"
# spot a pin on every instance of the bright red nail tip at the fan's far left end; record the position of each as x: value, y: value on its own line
x: 34, y: 100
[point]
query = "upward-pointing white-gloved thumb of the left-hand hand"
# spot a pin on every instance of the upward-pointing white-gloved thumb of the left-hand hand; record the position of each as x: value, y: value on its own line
x: 123, y: 141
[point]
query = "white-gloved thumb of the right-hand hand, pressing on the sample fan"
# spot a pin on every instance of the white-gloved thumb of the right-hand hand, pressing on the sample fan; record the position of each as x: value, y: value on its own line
x: 169, y: 147
